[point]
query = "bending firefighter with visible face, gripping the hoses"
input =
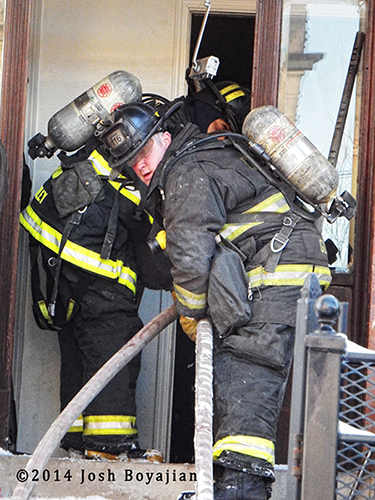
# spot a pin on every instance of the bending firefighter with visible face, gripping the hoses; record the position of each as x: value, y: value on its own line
x: 223, y: 221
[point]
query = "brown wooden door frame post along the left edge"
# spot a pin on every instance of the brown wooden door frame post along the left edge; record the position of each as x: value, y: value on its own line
x: 12, y: 120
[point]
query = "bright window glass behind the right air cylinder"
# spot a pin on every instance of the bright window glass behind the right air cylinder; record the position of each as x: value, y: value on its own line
x: 316, y: 48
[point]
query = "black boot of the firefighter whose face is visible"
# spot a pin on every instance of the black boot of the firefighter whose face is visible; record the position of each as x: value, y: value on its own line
x: 237, y: 485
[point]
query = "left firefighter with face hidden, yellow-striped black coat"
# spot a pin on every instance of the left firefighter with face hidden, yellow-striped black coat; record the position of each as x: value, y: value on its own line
x: 92, y: 236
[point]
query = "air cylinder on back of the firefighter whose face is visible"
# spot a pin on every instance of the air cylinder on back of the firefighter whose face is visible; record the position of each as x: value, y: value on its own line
x: 292, y: 153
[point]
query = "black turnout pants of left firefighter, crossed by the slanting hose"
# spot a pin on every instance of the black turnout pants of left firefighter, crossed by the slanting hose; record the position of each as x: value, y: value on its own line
x: 109, y: 421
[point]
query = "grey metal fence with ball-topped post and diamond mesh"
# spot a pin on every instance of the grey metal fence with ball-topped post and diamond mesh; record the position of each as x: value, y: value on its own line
x: 332, y: 439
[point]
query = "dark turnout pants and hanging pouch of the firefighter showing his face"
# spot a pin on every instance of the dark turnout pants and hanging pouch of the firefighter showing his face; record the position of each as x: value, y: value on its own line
x: 253, y: 349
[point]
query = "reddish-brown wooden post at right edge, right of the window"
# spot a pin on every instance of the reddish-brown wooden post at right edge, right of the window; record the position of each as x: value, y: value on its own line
x: 363, y: 306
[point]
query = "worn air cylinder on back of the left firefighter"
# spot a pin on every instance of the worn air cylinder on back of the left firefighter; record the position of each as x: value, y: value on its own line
x: 69, y: 128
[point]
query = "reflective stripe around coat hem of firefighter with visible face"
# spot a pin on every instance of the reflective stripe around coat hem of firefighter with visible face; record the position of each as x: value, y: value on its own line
x: 288, y: 274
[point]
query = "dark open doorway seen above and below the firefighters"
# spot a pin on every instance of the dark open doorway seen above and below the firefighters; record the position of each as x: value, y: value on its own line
x: 231, y: 39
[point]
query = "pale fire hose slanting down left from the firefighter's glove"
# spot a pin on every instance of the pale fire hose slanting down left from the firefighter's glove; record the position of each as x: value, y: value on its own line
x: 72, y: 411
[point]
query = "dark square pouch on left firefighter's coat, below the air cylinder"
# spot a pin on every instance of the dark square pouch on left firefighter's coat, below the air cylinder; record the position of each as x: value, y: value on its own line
x: 76, y: 188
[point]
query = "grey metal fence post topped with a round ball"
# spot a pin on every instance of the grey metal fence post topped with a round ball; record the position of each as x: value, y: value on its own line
x: 323, y: 365
